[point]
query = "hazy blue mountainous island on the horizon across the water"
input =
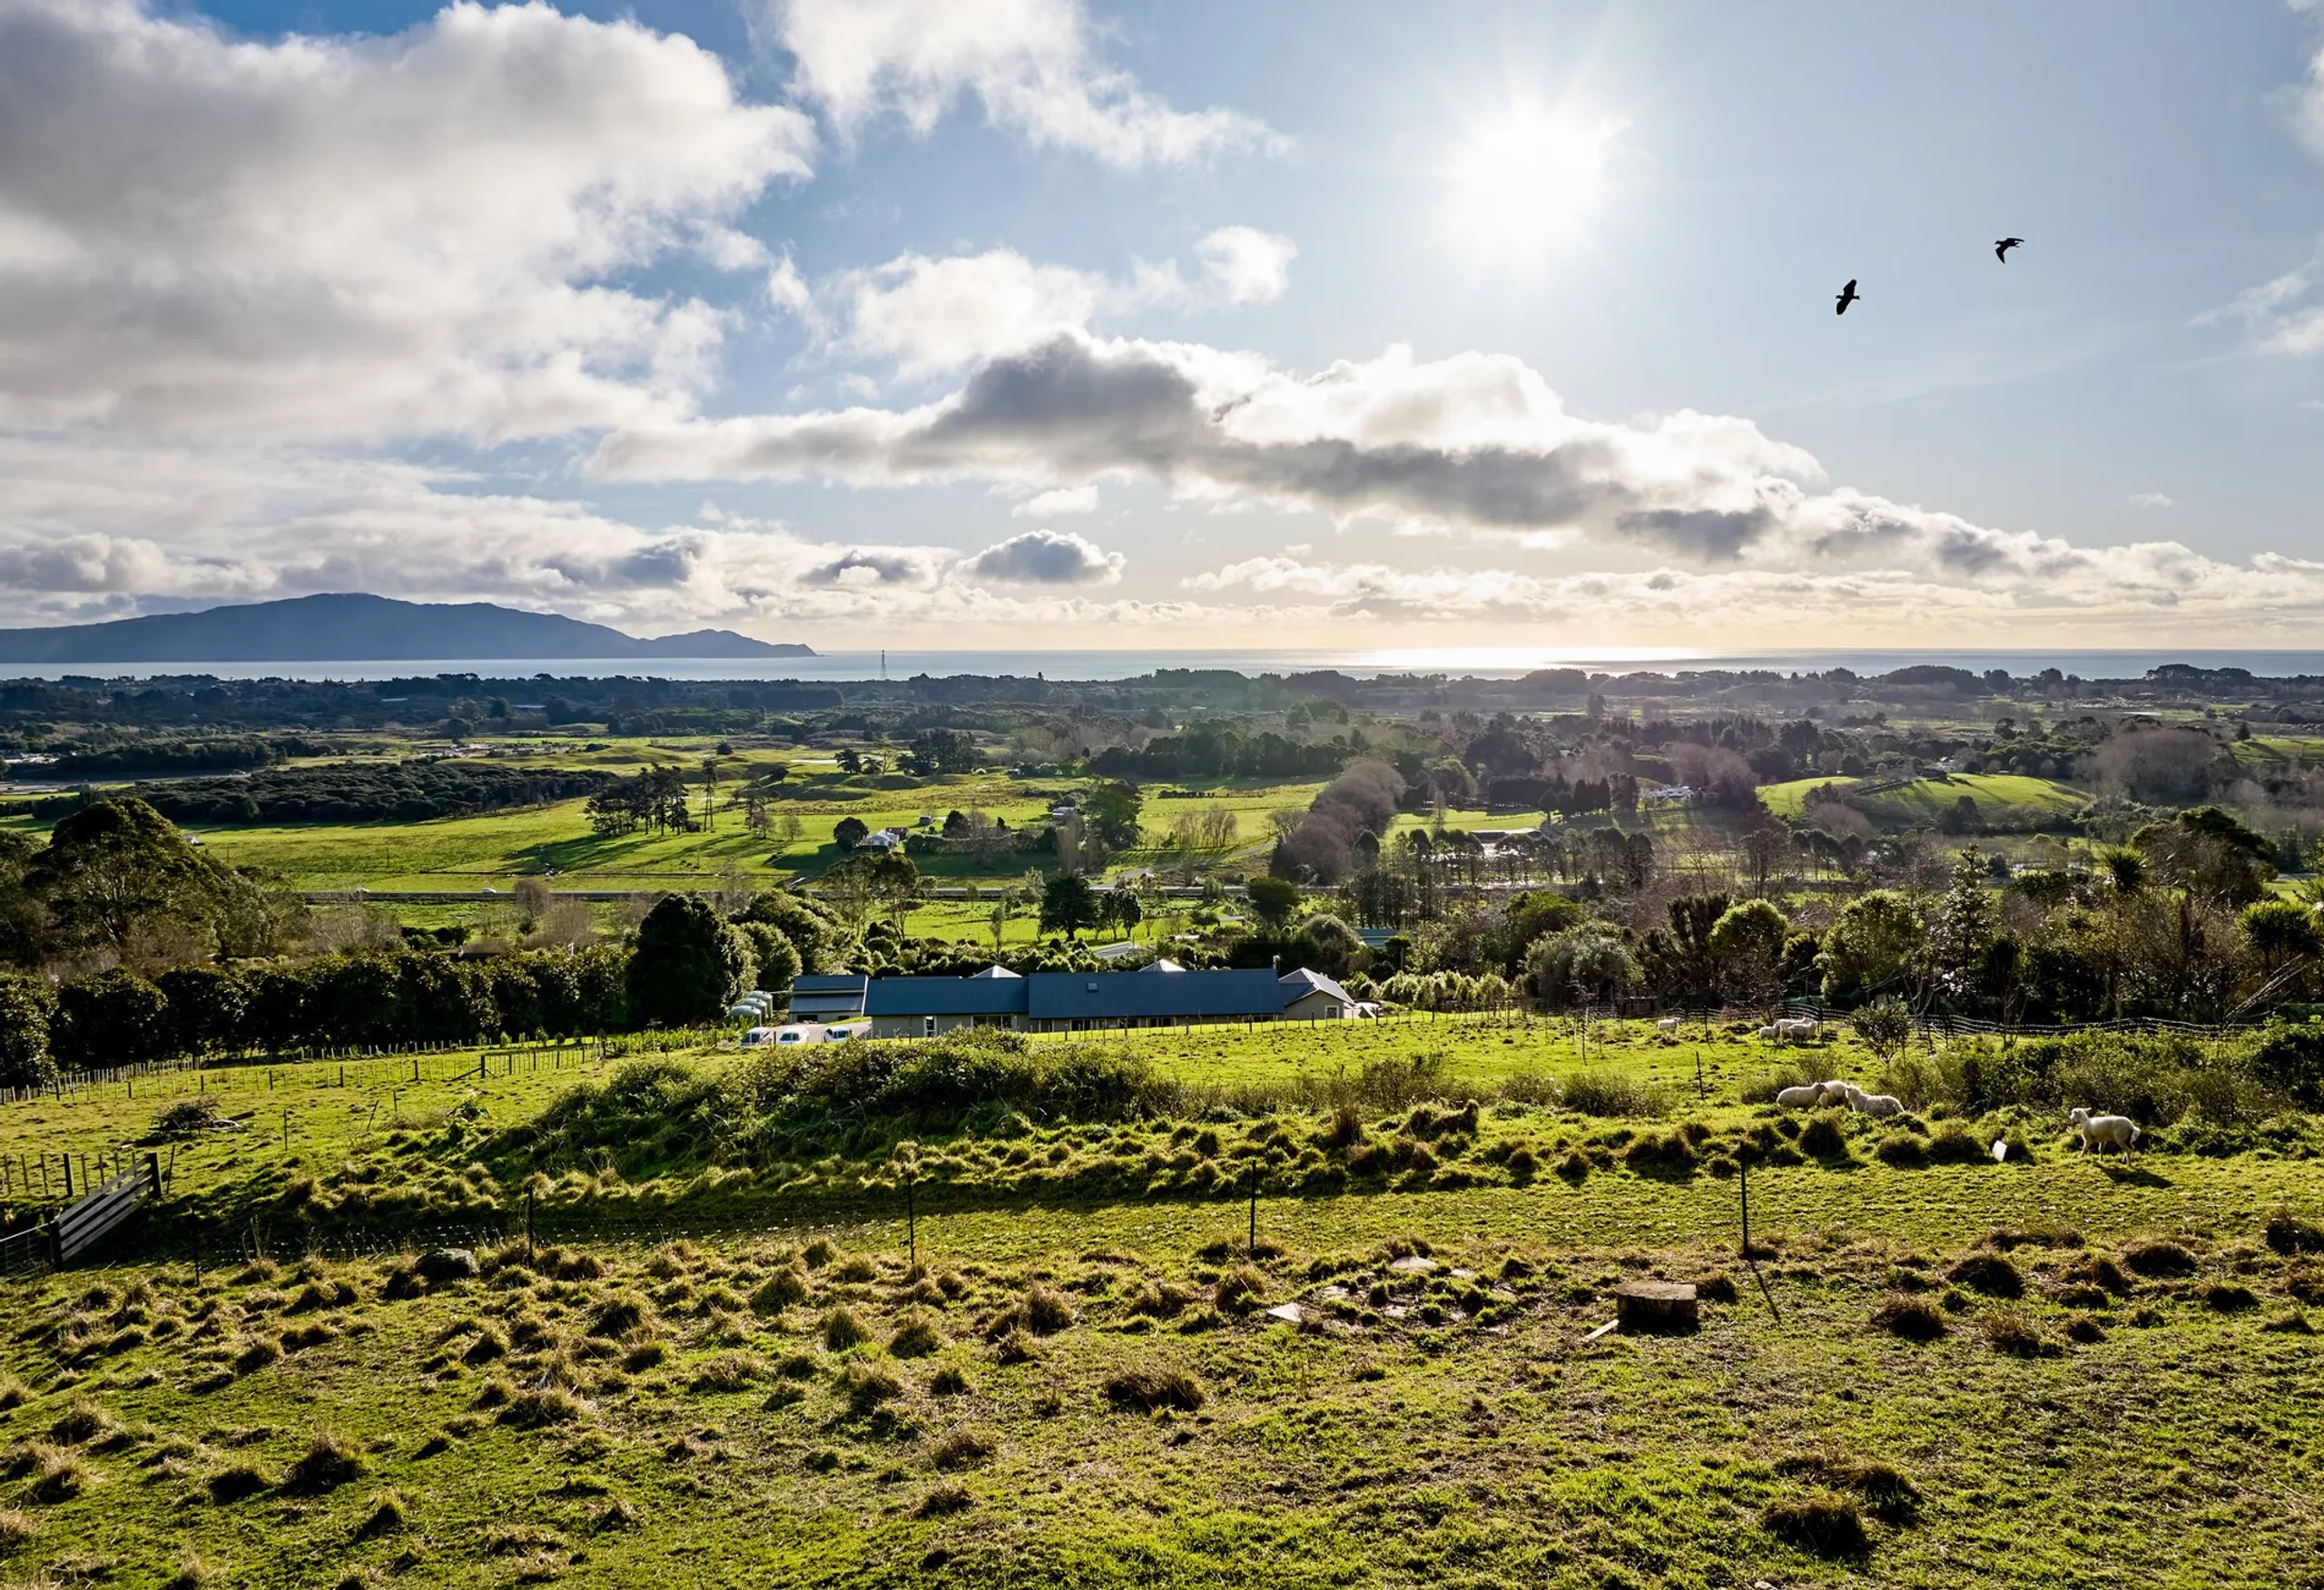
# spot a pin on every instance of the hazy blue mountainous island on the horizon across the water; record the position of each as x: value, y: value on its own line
x: 366, y: 629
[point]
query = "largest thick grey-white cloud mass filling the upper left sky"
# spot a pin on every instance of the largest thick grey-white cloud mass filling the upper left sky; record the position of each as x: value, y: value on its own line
x: 364, y: 238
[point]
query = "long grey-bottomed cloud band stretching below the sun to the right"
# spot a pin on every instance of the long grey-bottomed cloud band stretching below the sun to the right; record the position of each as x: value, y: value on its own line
x: 1472, y: 443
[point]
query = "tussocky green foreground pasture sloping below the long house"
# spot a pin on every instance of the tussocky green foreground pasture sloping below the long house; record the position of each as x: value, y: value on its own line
x: 1082, y: 1380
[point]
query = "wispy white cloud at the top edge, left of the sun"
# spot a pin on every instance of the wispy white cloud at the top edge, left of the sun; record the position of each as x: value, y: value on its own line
x: 1026, y: 62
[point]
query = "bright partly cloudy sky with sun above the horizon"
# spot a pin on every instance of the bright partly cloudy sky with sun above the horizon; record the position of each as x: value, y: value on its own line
x: 1079, y: 324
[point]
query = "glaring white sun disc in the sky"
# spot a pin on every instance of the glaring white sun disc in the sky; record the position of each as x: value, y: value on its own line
x: 1528, y: 182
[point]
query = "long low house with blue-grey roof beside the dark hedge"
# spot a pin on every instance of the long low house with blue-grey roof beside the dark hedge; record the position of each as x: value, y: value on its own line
x: 1161, y: 996
